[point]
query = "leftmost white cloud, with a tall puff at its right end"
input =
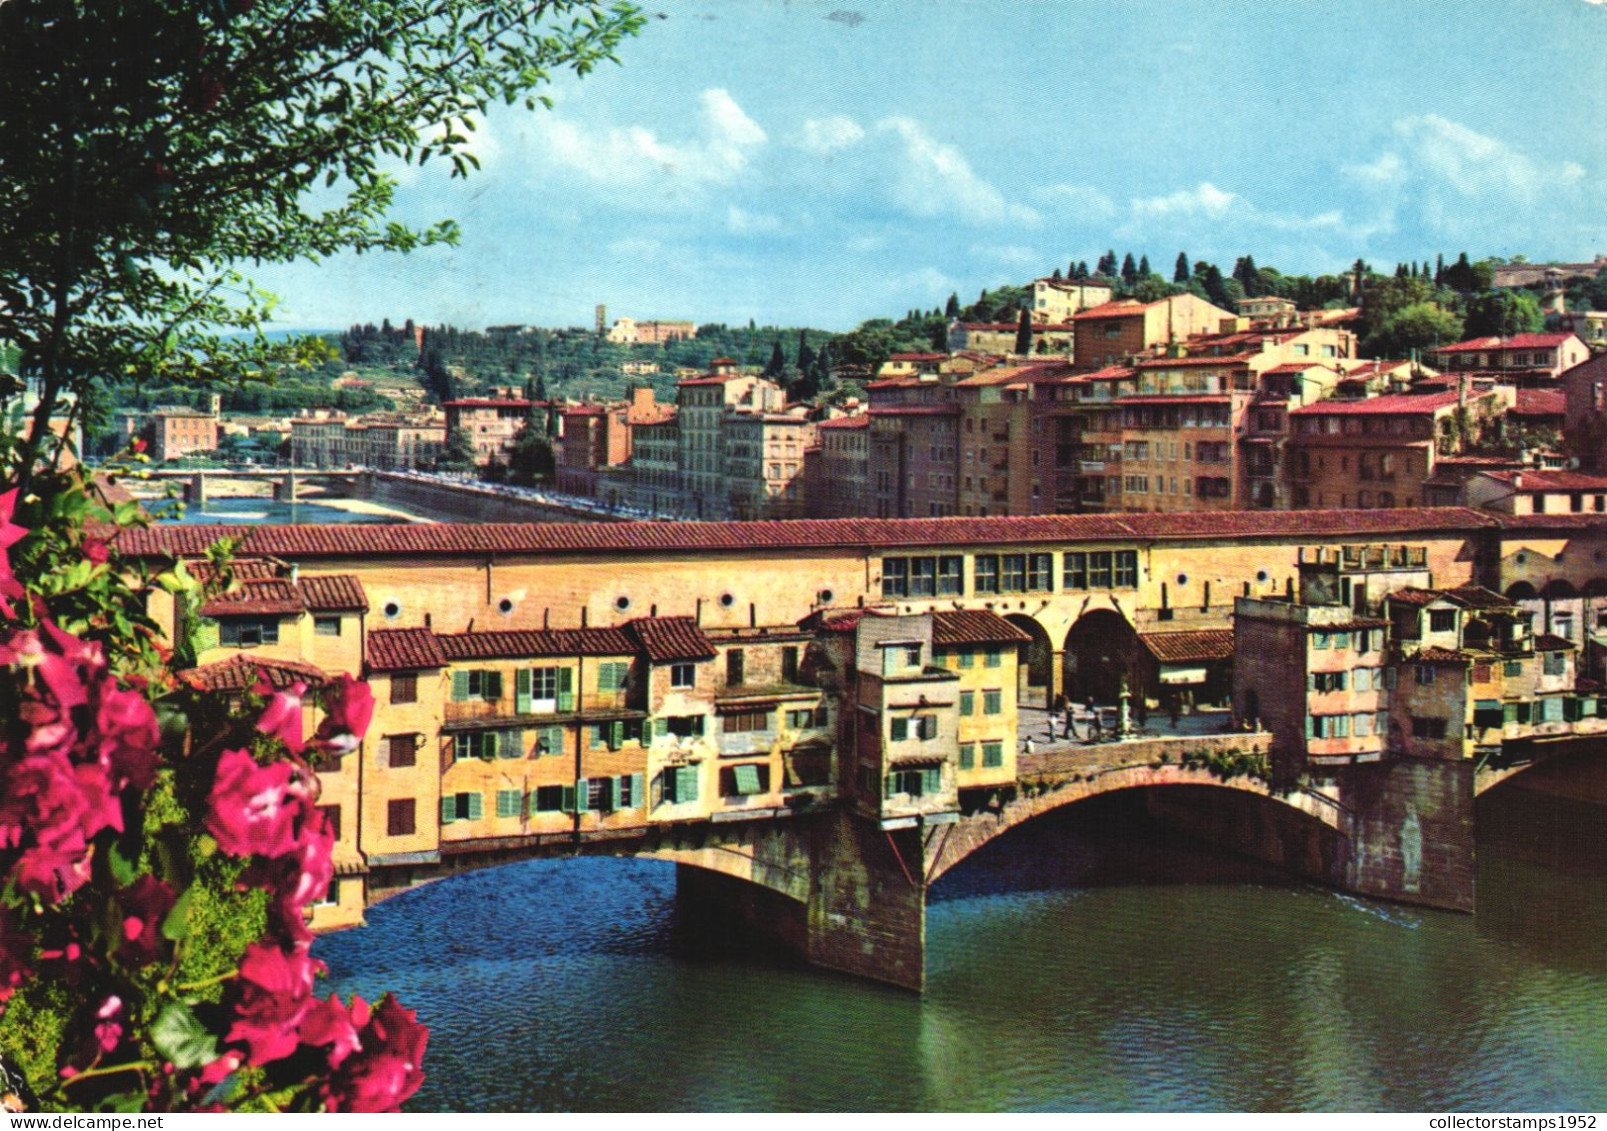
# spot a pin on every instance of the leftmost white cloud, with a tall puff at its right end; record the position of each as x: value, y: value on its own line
x: 722, y: 150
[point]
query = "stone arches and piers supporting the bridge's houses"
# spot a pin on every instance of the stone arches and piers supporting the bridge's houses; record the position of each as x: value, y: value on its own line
x: 844, y: 894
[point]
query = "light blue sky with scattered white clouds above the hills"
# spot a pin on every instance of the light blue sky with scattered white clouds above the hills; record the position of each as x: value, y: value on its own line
x: 824, y: 163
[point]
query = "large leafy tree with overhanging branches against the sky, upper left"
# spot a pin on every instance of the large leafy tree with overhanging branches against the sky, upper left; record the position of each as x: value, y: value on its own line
x: 155, y: 149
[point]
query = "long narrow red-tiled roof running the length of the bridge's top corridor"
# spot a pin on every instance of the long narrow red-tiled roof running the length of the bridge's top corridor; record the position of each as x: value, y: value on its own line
x: 422, y: 541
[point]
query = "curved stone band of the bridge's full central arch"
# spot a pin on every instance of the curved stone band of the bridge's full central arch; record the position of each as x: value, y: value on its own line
x: 949, y: 846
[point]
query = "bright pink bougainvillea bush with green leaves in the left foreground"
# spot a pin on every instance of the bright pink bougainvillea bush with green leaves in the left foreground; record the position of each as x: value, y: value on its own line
x: 131, y: 844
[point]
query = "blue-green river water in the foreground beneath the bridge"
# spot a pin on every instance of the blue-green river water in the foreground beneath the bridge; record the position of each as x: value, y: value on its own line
x: 1087, y: 962
